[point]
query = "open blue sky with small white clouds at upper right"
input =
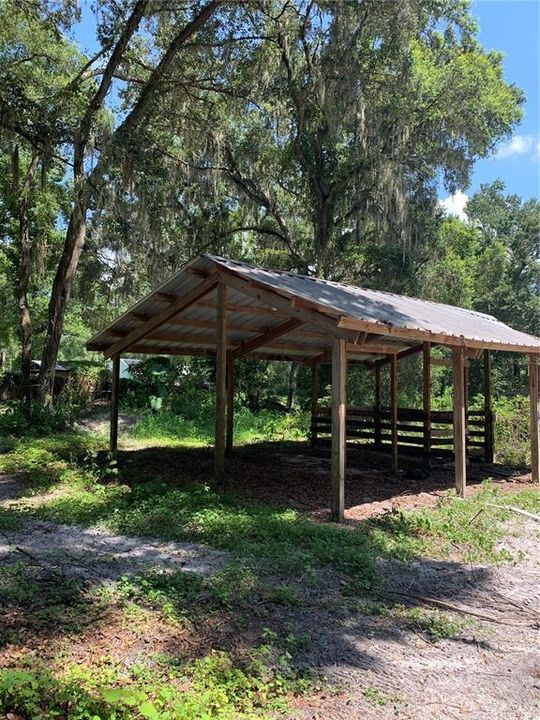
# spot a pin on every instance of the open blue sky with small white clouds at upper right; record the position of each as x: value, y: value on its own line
x: 512, y: 26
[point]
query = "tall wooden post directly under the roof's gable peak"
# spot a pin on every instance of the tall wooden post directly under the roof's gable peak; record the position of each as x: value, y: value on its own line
x: 221, y: 382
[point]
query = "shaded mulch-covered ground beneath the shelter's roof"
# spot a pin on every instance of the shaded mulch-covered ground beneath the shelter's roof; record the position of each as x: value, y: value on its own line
x: 294, y: 475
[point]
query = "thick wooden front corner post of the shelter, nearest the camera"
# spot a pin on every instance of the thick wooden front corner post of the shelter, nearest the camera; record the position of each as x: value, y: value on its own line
x: 339, y: 412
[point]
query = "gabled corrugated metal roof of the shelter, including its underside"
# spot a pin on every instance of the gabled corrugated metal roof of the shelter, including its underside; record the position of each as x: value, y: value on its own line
x: 374, y: 323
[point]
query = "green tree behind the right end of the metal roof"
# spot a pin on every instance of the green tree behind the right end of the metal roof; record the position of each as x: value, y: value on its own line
x: 491, y: 263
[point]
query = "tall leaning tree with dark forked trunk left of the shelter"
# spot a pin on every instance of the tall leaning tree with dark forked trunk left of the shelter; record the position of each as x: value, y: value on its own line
x: 119, y: 35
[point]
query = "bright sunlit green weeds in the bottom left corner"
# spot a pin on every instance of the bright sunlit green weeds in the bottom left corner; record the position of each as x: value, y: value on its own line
x: 212, y: 688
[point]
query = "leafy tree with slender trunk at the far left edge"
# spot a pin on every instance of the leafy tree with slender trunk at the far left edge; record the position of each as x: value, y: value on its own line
x: 34, y: 67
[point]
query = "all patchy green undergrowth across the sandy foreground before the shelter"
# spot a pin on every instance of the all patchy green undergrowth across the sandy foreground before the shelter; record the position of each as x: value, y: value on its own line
x: 273, y: 557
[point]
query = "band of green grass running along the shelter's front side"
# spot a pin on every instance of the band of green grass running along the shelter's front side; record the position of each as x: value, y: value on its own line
x: 284, y: 539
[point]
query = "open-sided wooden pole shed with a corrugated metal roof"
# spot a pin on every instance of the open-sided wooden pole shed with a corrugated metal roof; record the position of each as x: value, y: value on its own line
x: 229, y: 310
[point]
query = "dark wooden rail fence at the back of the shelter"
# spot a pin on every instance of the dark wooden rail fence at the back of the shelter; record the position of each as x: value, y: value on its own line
x: 419, y: 433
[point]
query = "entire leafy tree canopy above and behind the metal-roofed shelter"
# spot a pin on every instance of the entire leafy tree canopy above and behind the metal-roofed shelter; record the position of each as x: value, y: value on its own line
x: 311, y: 135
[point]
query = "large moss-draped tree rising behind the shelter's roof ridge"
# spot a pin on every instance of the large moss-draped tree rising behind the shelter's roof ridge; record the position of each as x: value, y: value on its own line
x: 351, y: 113
